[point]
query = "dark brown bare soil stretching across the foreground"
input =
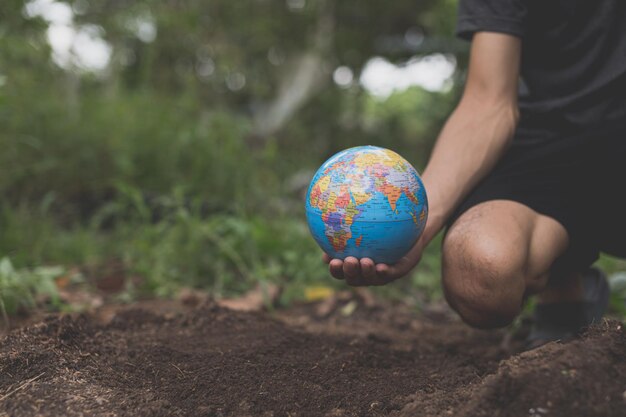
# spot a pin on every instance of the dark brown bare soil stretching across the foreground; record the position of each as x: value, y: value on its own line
x: 353, y: 358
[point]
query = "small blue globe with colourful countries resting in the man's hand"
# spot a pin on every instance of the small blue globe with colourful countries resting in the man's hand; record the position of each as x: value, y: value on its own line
x: 366, y: 202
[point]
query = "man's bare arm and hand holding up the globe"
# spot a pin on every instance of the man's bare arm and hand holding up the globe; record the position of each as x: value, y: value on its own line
x: 473, y: 139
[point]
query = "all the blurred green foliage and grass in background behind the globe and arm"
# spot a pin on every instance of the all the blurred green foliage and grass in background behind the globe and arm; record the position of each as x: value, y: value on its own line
x: 157, y: 161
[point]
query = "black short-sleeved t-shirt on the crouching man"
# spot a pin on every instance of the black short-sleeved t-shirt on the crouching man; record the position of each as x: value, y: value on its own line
x: 573, y: 64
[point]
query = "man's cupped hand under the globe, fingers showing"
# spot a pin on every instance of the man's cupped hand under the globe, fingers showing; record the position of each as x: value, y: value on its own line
x: 363, y: 272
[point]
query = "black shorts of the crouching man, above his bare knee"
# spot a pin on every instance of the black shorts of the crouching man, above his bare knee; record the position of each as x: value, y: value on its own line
x: 576, y: 176
